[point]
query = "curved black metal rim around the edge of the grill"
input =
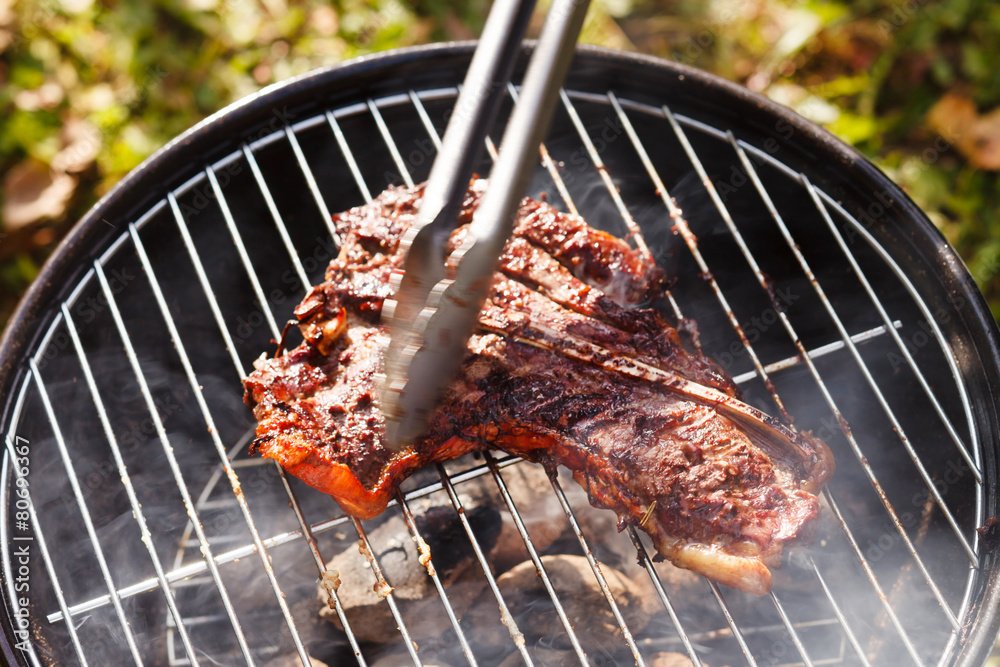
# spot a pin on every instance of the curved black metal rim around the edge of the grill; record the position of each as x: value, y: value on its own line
x: 921, y: 244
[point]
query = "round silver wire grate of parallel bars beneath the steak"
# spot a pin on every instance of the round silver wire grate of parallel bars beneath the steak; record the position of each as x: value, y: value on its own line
x: 205, y: 554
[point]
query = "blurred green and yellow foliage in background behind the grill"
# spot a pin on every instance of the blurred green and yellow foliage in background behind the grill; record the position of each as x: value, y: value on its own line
x: 90, y: 89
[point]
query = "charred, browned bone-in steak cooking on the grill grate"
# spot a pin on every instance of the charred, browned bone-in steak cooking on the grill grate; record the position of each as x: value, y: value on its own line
x: 567, y: 369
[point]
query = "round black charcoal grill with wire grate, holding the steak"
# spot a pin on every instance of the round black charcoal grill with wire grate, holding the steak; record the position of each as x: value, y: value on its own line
x: 152, y: 537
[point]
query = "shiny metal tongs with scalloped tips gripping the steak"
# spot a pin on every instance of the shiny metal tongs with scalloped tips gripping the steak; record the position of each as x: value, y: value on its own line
x: 433, y: 314
